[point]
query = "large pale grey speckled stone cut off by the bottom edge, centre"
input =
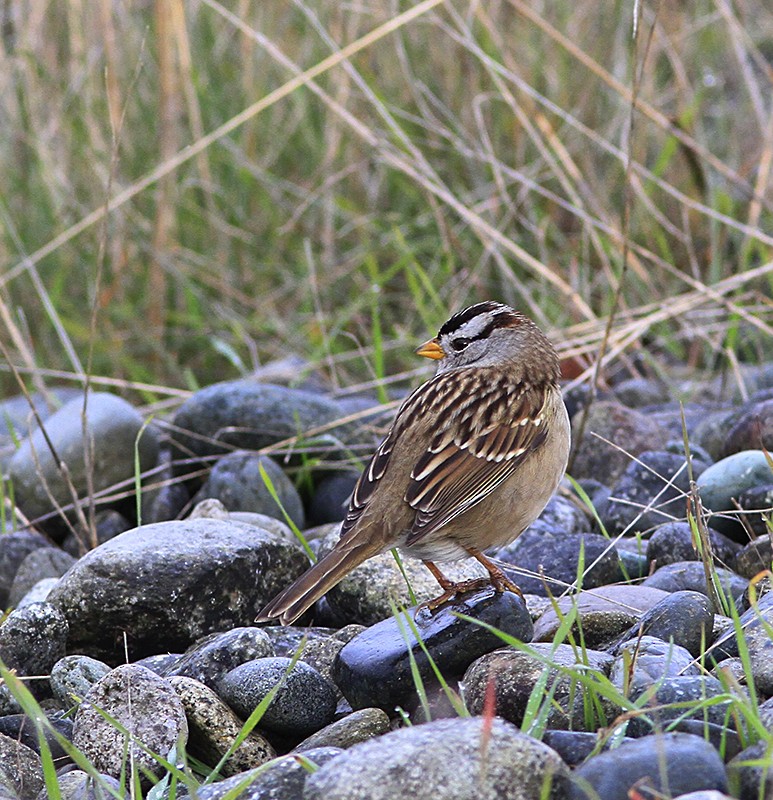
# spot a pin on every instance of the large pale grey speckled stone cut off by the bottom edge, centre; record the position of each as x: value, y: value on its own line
x: 453, y: 759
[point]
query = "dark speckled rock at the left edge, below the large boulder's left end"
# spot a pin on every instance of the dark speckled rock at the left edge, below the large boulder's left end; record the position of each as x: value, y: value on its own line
x: 33, y: 639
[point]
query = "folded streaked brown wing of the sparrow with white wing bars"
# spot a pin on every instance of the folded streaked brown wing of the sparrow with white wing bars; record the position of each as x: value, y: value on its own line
x: 458, y: 470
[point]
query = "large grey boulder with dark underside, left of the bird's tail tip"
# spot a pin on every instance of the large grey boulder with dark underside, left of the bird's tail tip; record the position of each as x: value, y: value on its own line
x: 168, y: 584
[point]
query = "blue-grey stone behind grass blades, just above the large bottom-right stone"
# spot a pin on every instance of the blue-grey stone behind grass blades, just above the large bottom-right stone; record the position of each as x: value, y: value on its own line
x: 678, y: 689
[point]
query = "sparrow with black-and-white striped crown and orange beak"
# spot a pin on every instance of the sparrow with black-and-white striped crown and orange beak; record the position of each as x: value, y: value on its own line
x: 470, y: 461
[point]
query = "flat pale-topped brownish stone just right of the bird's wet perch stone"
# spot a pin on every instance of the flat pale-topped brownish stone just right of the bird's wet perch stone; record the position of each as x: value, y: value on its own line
x: 605, y: 613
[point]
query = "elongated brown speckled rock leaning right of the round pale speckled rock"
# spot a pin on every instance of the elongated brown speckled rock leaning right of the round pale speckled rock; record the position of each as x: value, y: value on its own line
x: 213, y: 728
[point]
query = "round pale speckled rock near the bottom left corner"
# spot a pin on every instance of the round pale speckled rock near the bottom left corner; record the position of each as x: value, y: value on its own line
x: 145, y: 705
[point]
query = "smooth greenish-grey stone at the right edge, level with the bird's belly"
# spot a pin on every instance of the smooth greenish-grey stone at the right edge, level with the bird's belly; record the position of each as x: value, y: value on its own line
x: 726, y: 481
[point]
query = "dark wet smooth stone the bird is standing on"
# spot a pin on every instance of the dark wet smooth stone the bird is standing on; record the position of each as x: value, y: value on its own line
x: 374, y: 668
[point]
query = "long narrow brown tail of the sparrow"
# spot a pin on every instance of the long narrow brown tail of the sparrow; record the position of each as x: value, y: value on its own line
x: 289, y: 604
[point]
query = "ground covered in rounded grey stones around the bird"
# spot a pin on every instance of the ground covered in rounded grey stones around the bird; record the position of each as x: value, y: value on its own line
x: 631, y: 675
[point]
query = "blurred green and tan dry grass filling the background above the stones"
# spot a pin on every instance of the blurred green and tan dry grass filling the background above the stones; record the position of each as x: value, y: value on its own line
x: 193, y: 188
